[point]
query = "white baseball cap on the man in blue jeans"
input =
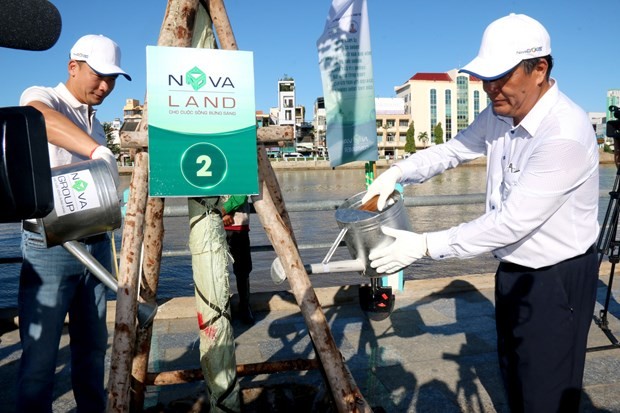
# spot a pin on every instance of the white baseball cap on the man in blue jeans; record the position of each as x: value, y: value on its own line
x: 101, y: 54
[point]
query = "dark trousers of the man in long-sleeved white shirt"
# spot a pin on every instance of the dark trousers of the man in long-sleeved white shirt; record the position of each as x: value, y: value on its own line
x: 543, y: 317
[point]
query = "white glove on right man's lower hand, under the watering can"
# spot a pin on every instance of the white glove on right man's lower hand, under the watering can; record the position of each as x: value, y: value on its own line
x: 407, y: 248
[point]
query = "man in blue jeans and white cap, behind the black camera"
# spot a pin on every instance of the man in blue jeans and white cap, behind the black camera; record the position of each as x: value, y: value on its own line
x: 52, y: 282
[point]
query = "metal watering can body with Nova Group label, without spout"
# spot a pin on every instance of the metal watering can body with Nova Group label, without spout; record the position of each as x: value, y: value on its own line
x: 85, y: 203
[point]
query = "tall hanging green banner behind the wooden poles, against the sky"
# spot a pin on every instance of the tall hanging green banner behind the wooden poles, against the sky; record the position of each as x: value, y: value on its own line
x: 345, y: 61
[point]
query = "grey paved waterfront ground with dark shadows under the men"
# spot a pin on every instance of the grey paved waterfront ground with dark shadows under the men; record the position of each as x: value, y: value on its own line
x: 434, y: 353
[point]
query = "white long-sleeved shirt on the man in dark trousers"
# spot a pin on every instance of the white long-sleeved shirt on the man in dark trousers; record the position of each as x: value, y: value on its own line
x: 542, y: 184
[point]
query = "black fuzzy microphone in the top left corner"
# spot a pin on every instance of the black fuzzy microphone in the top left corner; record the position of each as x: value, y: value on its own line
x: 29, y: 24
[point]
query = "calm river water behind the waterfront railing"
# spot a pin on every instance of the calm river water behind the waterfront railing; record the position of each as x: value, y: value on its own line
x: 313, y: 228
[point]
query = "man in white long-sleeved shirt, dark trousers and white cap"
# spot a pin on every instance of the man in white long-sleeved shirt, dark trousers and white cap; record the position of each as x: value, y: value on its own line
x: 540, y: 220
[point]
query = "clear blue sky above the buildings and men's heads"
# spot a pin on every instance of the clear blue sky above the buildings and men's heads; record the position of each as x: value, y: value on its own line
x: 407, y: 36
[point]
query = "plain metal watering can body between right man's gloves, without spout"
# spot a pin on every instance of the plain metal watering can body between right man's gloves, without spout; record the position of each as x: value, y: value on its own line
x: 361, y: 230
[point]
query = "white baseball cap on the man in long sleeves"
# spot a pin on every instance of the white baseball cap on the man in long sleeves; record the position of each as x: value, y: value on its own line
x: 505, y: 43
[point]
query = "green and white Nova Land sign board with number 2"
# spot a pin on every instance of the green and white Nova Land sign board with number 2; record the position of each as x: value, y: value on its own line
x: 202, y: 124
